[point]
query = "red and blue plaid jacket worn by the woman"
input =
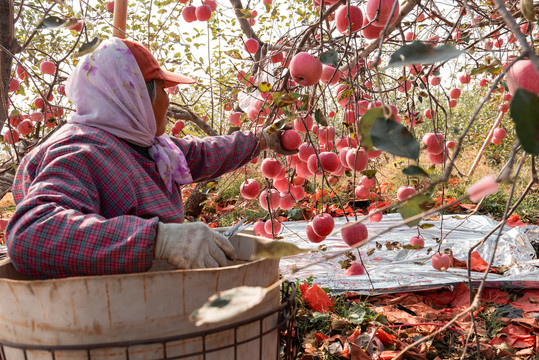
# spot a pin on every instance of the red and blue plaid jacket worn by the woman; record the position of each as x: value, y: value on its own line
x: 88, y: 203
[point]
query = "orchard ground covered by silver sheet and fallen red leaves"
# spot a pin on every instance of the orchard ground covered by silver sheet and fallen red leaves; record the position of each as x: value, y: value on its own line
x: 403, y: 299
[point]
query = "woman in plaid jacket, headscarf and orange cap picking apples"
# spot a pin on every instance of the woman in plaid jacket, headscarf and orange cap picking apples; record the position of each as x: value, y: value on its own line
x: 101, y: 195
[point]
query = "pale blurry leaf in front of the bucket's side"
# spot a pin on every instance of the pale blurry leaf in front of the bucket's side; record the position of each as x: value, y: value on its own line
x: 228, y: 304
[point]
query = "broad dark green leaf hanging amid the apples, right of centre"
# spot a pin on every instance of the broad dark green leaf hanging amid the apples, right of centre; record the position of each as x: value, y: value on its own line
x: 390, y: 136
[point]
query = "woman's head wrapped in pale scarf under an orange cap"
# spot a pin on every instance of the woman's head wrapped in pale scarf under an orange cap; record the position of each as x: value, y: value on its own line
x: 120, y: 88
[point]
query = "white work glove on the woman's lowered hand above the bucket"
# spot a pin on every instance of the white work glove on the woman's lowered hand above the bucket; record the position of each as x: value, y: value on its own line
x: 192, y: 246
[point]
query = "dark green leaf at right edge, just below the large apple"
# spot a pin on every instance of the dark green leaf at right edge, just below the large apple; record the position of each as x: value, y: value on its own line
x: 524, y: 109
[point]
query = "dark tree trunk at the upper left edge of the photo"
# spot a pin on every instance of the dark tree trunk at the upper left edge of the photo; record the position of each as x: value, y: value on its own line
x: 8, y: 42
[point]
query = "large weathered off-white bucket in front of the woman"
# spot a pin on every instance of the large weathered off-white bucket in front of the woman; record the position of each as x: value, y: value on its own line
x: 107, y: 309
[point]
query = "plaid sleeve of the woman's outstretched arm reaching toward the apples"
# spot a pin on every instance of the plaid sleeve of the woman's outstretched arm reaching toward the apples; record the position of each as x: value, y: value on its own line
x: 213, y: 156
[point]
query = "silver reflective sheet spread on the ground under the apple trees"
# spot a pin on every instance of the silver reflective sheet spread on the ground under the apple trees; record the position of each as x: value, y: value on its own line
x: 392, y: 268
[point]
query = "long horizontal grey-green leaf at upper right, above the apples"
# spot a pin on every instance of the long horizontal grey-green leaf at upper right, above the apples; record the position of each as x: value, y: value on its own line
x: 419, y: 53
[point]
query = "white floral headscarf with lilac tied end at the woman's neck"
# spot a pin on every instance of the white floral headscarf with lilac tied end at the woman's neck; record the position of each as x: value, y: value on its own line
x: 109, y: 92
